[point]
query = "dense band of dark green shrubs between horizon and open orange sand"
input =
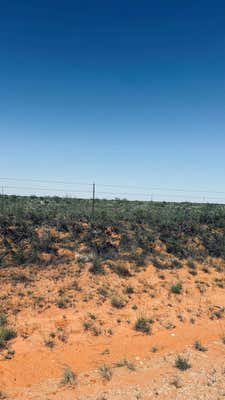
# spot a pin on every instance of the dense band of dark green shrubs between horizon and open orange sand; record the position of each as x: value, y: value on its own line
x: 34, y: 229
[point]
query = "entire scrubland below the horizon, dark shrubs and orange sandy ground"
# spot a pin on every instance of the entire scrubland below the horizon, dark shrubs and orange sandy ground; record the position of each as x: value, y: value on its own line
x: 127, y: 302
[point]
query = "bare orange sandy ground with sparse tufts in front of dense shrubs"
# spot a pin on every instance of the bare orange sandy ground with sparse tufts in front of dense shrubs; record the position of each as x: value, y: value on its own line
x: 85, y: 332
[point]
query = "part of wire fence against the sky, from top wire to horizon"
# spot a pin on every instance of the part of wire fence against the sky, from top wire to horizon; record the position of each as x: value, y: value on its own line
x: 77, y: 189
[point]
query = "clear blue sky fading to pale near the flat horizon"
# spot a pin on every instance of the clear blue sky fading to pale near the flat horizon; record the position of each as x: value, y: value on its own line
x: 128, y: 93
